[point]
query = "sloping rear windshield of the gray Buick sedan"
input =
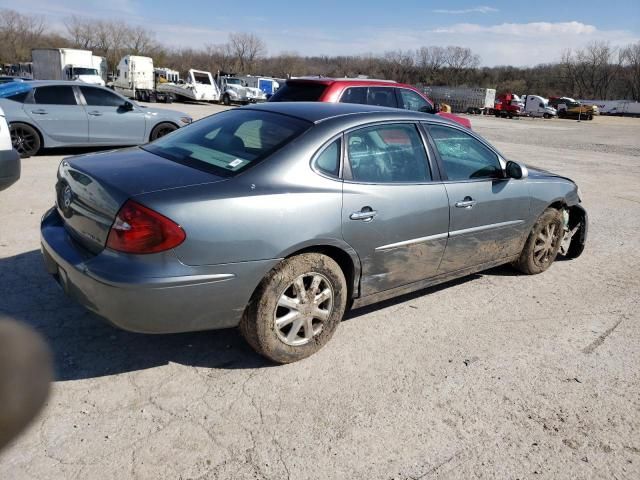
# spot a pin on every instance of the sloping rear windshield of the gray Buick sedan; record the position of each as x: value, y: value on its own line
x: 229, y: 142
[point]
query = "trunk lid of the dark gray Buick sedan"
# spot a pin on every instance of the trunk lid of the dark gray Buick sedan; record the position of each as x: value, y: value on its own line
x: 91, y: 189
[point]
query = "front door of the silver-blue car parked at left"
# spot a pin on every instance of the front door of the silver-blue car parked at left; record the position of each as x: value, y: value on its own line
x: 109, y: 122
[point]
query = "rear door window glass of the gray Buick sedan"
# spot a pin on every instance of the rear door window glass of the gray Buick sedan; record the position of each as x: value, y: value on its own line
x: 387, y: 154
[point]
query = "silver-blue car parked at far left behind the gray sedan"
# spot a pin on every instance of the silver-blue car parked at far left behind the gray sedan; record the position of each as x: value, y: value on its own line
x: 44, y: 114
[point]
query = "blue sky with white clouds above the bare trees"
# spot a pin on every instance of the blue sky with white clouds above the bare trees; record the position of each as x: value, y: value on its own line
x: 520, y: 33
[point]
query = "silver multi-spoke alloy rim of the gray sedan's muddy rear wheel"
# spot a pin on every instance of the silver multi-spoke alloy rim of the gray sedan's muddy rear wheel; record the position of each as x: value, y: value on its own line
x: 303, y: 308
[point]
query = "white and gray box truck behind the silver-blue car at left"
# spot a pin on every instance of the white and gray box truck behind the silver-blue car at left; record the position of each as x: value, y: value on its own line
x: 65, y: 64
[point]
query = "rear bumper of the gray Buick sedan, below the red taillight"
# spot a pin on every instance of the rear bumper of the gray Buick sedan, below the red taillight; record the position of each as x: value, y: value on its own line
x: 190, y: 299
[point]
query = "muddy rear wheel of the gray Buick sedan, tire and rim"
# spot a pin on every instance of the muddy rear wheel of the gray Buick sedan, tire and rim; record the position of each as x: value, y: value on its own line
x: 296, y: 309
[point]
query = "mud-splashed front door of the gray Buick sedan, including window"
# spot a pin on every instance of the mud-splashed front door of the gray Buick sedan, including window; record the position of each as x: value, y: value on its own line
x: 489, y: 213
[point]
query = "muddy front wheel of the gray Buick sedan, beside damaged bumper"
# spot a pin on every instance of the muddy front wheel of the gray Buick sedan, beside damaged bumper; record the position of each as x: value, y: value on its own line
x: 543, y: 243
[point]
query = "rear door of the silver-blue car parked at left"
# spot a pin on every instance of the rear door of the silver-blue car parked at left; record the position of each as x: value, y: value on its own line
x: 55, y: 110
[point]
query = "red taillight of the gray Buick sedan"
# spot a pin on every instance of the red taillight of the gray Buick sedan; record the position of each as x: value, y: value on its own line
x: 138, y: 229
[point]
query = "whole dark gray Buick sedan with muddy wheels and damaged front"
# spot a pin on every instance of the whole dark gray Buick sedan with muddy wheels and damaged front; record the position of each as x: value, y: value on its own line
x: 279, y: 217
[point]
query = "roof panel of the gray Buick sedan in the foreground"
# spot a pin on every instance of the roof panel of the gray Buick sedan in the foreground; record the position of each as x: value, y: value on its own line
x: 317, y: 112
